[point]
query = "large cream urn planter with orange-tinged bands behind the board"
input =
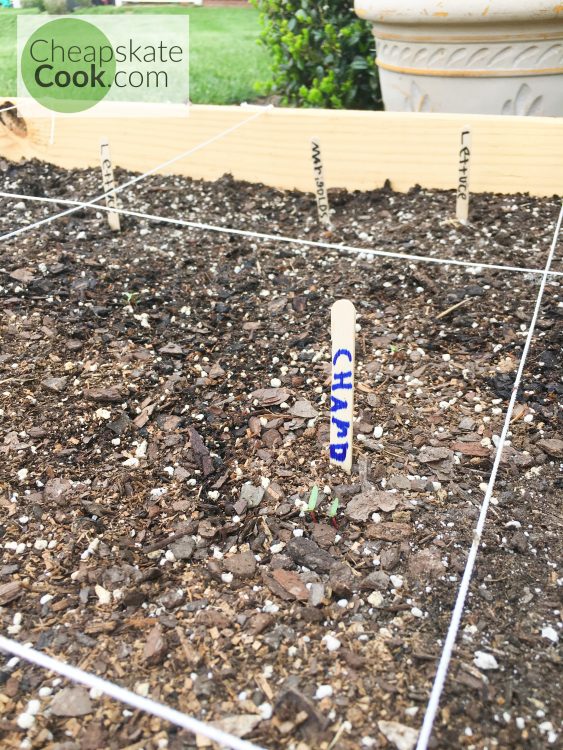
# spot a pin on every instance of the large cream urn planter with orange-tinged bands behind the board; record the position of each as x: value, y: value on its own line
x: 475, y: 56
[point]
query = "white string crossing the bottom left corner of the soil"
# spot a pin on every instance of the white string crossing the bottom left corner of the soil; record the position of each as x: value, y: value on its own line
x: 126, y: 696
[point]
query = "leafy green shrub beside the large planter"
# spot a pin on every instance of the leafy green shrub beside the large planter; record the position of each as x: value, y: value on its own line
x: 322, y: 53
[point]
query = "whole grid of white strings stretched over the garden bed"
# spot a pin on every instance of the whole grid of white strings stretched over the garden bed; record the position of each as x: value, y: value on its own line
x: 172, y: 715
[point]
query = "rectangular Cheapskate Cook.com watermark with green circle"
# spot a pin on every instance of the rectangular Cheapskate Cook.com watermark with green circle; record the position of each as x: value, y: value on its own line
x: 103, y: 66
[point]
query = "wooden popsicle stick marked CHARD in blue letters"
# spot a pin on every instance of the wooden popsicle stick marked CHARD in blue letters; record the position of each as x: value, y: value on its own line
x: 343, y: 333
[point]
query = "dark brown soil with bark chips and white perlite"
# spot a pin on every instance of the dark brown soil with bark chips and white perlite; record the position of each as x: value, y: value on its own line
x: 128, y: 431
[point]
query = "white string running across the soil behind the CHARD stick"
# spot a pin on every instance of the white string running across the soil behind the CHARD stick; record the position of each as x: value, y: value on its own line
x: 279, y: 237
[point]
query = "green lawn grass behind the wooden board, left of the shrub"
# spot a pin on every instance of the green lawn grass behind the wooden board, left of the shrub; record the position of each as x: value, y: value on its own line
x: 225, y: 58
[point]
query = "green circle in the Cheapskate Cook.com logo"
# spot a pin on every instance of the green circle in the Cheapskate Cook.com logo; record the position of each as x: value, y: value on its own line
x: 68, y: 65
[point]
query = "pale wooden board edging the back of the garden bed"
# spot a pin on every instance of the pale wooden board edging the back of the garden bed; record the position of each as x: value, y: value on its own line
x: 360, y: 149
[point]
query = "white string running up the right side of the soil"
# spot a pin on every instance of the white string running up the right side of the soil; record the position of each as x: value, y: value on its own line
x: 443, y: 665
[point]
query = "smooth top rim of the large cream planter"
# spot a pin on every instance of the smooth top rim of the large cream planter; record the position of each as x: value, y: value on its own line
x: 439, y: 12
